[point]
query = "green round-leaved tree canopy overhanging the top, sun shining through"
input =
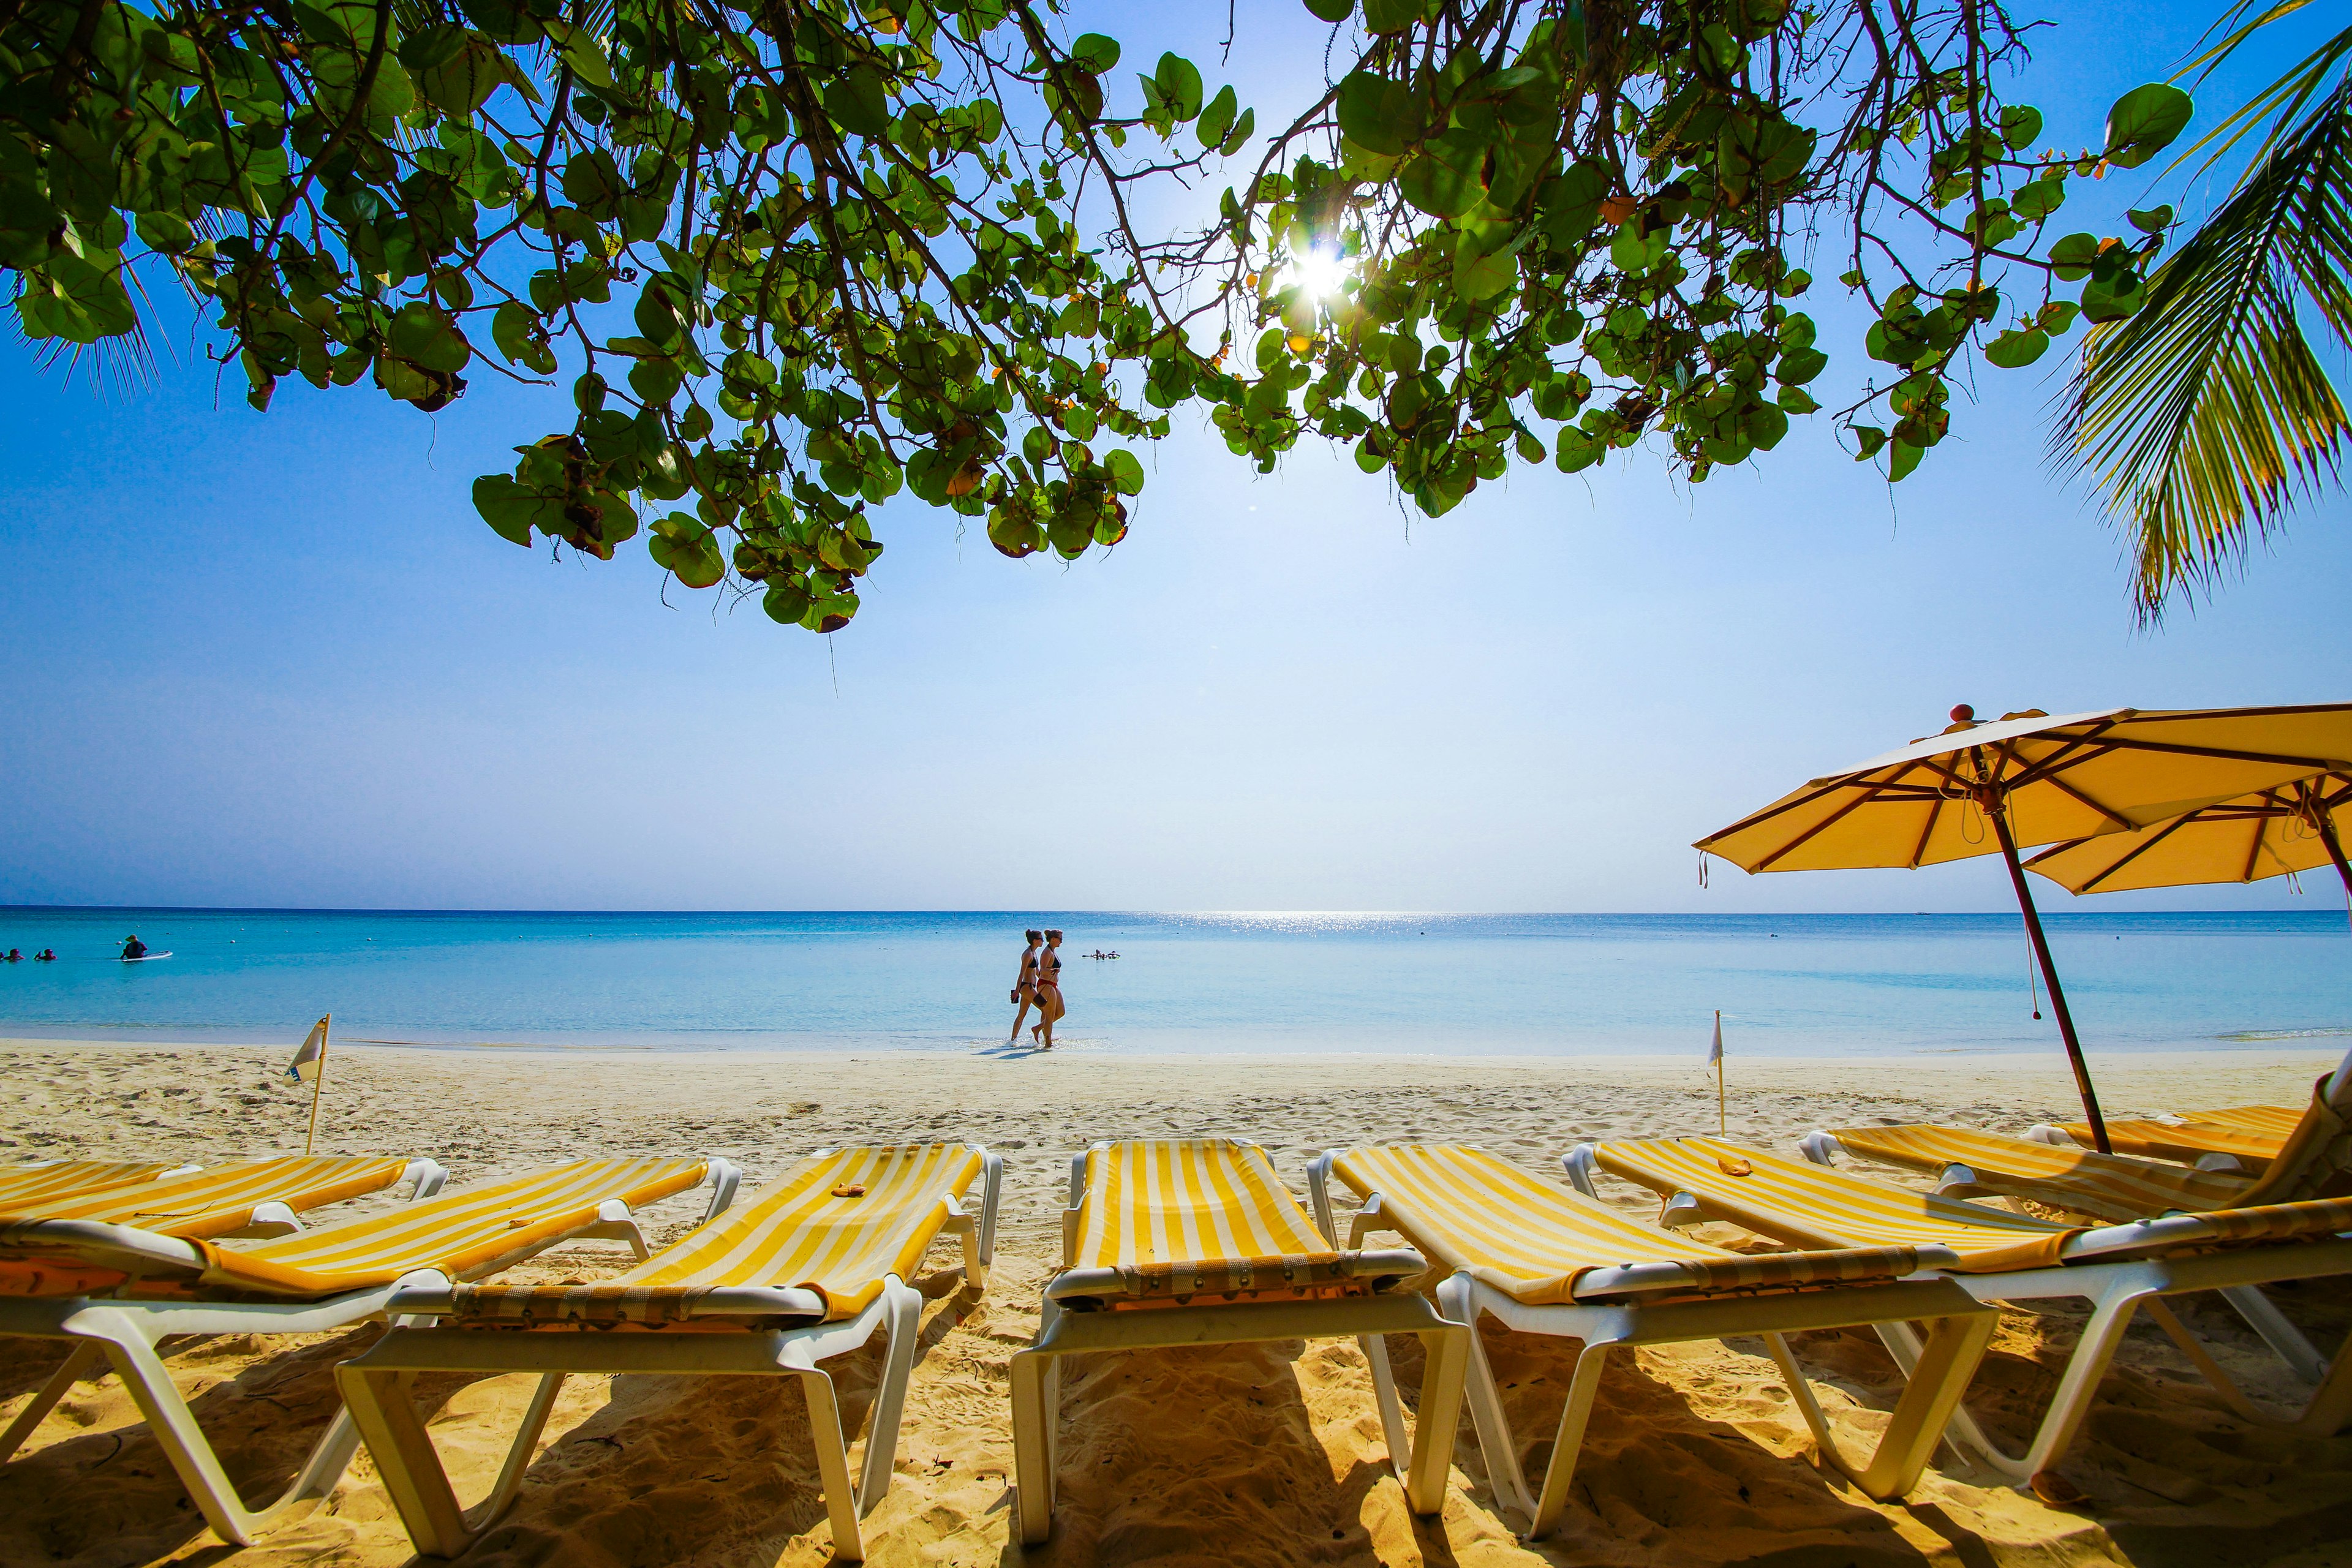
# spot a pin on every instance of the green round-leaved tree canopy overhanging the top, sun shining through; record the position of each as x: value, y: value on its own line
x: 801, y: 255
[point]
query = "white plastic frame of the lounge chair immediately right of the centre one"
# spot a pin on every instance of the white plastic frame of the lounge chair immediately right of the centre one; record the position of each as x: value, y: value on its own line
x: 1949, y: 1358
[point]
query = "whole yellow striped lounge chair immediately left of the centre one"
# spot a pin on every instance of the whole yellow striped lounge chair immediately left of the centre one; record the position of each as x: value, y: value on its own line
x: 803, y: 1273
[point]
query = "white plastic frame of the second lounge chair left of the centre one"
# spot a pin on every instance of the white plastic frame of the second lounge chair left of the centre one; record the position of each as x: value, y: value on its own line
x: 126, y: 1334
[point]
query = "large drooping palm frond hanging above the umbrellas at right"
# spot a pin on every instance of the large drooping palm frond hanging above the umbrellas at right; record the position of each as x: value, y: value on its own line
x: 2203, y: 417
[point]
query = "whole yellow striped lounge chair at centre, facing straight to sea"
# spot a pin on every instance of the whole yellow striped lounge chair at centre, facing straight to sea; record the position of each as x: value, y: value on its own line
x: 1198, y: 1242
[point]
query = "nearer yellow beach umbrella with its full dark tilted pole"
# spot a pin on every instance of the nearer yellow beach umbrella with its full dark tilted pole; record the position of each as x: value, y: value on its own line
x: 2031, y: 779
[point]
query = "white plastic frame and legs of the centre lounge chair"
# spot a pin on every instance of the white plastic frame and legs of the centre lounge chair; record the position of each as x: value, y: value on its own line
x: 1417, y: 1456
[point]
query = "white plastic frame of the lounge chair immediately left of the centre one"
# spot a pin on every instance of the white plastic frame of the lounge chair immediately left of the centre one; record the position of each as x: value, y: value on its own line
x: 377, y: 1383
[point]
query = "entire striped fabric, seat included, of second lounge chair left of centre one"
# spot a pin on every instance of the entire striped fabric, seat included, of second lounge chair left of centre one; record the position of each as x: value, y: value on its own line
x: 460, y: 1233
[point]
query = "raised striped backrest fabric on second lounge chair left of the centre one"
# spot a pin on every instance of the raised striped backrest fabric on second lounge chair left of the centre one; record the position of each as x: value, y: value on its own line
x: 460, y: 1233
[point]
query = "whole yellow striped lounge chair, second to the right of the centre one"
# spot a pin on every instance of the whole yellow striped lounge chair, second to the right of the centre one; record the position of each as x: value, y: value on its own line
x: 2017, y: 1259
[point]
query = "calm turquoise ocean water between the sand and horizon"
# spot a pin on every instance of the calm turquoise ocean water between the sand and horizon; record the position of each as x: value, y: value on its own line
x: 1441, y: 984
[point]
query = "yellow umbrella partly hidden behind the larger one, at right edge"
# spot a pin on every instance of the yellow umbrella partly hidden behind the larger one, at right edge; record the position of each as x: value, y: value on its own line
x: 2287, y: 829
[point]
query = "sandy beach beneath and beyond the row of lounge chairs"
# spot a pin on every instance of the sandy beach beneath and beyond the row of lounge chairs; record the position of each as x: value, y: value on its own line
x: 1215, y: 1456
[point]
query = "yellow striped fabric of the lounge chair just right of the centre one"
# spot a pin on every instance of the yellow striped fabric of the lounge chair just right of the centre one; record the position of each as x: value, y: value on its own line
x: 1535, y: 1240
